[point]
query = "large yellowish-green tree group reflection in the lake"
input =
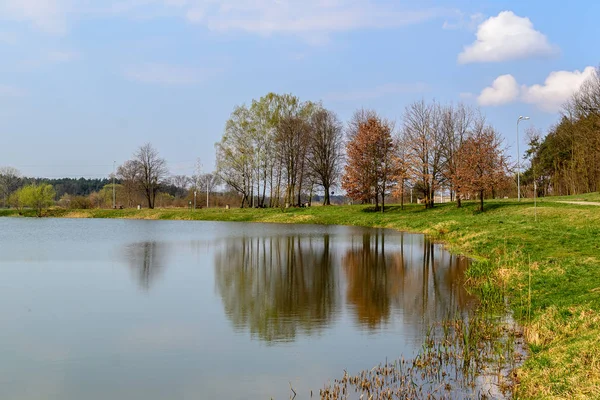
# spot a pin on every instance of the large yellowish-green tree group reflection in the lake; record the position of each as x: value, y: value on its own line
x: 277, y: 287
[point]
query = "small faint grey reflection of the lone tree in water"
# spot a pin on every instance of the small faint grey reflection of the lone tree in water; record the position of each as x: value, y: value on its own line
x: 146, y: 259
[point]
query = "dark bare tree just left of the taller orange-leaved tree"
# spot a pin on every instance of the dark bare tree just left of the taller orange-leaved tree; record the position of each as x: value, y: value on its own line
x: 325, y: 150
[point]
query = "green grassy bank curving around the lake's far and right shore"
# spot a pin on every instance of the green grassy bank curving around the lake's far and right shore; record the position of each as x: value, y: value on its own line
x: 550, y: 270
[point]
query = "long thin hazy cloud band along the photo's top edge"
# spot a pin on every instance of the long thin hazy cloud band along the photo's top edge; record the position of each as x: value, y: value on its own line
x: 310, y: 18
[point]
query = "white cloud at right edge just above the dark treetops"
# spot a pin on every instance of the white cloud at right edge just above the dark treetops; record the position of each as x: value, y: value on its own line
x: 558, y: 87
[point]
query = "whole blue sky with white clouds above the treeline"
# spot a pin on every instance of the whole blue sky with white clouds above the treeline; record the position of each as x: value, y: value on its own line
x: 84, y: 83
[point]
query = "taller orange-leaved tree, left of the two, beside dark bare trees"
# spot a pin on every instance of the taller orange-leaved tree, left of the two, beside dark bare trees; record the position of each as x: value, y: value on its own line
x: 371, y: 161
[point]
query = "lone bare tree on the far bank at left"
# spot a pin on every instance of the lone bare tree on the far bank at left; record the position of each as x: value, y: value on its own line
x: 152, y: 171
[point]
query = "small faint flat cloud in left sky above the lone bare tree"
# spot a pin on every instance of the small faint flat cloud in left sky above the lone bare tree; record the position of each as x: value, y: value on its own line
x: 164, y: 74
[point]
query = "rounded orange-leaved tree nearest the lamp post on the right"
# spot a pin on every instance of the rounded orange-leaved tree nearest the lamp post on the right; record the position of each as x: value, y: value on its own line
x: 481, y: 163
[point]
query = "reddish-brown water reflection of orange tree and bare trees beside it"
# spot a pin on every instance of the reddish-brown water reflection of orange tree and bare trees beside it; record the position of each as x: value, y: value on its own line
x: 415, y: 279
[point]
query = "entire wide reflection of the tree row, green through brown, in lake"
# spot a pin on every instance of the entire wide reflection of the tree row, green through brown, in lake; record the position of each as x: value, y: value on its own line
x: 279, y: 287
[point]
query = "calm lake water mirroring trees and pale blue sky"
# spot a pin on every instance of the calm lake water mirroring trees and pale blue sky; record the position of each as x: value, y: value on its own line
x: 111, y: 309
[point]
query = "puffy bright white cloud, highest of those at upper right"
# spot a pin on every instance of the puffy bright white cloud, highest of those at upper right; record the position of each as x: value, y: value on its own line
x: 506, y: 37
